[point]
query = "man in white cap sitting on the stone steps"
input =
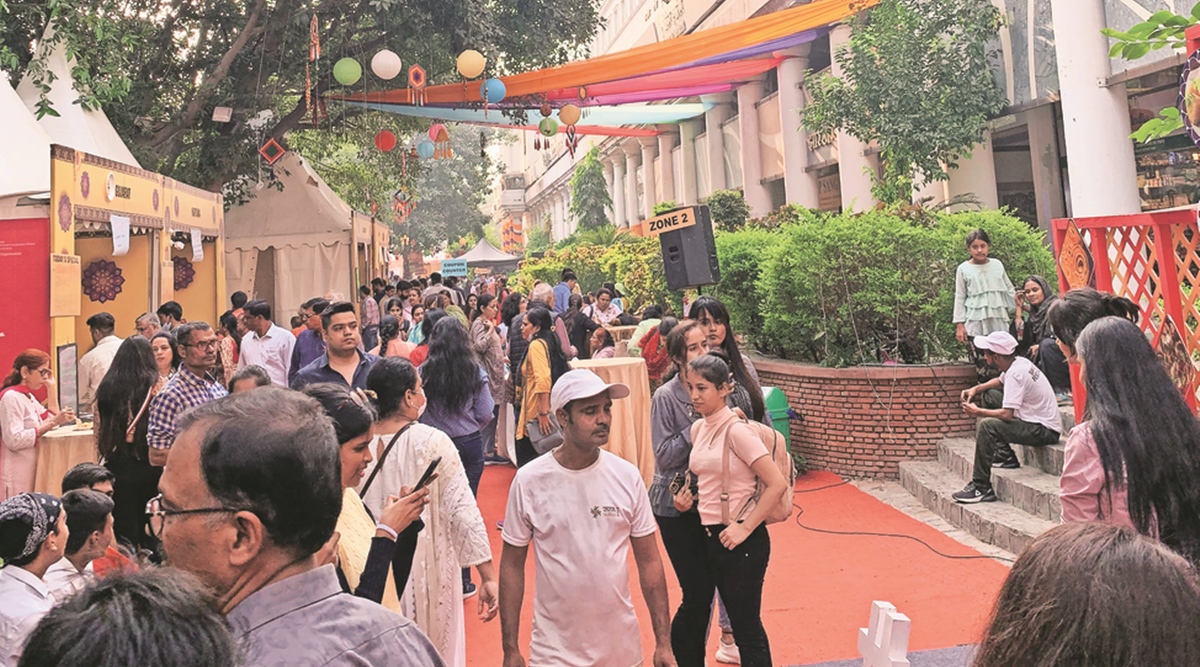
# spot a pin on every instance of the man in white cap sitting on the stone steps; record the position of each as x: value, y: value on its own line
x: 1025, y: 413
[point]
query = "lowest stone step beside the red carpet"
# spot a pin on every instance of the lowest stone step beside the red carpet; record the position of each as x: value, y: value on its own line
x: 997, y: 524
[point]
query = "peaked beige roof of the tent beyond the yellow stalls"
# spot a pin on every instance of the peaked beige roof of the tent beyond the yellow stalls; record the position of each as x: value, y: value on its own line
x: 305, y: 213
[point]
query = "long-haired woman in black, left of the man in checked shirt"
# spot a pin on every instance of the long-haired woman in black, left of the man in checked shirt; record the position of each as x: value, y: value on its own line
x: 123, y: 417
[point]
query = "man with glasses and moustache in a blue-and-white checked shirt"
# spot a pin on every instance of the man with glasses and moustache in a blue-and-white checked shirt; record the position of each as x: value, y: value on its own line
x: 194, y: 386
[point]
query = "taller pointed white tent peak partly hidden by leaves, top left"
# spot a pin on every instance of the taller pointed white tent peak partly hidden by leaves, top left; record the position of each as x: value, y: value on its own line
x: 75, y: 127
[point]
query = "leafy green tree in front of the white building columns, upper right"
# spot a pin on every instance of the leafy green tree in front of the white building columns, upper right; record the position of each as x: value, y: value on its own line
x: 919, y: 83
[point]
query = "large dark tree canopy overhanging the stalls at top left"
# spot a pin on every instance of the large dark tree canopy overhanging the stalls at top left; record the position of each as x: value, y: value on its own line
x: 159, y: 68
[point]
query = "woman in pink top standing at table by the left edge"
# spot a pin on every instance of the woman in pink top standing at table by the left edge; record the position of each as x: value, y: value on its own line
x: 23, y: 422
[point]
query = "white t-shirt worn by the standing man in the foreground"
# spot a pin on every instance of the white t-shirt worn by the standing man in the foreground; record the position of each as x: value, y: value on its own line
x: 580, y: 524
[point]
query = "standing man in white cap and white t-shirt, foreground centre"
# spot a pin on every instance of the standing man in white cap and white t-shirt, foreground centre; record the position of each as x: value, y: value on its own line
x: 583, y: 508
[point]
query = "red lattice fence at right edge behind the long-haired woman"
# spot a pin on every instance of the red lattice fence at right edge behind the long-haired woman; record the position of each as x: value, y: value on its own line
x: 1123, y: 255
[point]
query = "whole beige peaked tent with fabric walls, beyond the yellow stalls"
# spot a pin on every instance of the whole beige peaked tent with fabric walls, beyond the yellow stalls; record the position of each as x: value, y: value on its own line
x: 289, y: 247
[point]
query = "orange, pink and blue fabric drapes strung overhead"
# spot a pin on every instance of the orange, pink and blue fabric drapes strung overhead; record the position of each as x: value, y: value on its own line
x: 616, y: 87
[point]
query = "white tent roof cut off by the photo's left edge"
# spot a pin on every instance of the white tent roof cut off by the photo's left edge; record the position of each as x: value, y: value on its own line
x: 26, y: 158
